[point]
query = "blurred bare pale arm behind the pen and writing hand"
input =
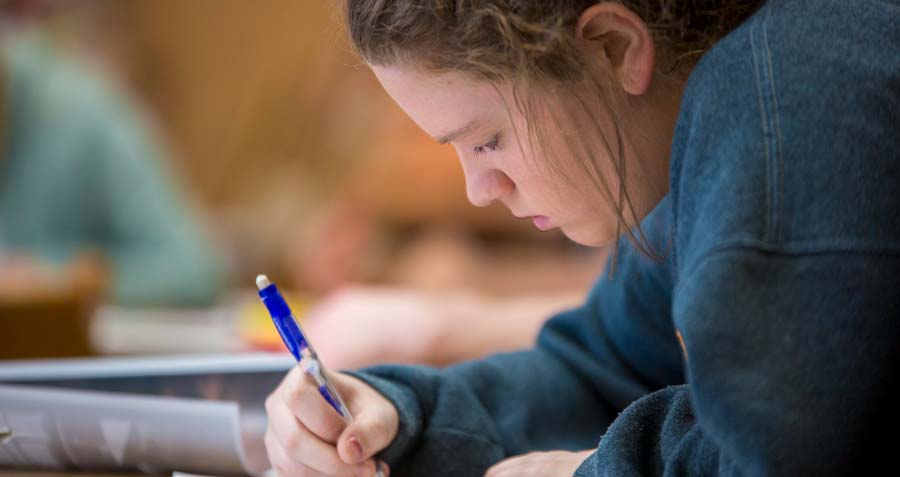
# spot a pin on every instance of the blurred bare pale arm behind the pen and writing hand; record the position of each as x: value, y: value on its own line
x: 442, y: 329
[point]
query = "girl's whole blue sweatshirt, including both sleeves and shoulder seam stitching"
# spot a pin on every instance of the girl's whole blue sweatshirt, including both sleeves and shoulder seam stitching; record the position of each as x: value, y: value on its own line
x: 782, y: 240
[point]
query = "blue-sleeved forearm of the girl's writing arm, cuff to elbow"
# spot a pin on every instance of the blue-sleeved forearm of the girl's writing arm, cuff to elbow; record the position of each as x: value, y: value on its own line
x: 478, y: 413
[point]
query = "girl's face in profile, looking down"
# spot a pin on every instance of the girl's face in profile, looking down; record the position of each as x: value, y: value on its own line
x: 551, y: 192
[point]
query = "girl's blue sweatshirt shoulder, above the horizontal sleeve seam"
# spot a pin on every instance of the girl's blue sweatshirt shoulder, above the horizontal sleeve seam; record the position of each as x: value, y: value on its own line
x: 788, y: 132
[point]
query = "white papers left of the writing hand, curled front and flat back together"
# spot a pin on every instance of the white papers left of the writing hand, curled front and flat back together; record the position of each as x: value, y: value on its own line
x: 53, y: 418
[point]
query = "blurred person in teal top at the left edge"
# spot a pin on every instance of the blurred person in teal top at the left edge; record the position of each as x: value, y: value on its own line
x: 83, y: 180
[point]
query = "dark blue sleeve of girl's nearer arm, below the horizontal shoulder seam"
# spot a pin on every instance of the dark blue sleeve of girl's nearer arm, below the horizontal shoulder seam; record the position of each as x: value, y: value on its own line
x: 789, y: 364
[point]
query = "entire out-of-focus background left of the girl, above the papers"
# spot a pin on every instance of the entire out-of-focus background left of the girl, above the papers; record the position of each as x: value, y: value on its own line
x: 156, y: 155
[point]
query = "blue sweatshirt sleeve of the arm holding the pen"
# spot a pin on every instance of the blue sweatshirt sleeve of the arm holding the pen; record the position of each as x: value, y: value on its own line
x: 588, y: 364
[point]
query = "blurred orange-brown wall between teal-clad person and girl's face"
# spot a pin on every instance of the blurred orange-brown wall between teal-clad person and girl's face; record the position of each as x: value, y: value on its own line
x: 272, y: 116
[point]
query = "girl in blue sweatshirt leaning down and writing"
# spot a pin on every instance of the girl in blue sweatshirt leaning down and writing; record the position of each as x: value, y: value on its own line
x: 749, y: 323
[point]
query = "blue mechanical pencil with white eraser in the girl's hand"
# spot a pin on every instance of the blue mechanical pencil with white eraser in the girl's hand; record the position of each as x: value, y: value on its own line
x: 302, y: 349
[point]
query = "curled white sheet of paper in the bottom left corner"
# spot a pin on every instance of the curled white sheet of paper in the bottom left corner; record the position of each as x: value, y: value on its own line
x: 84, y: 430
